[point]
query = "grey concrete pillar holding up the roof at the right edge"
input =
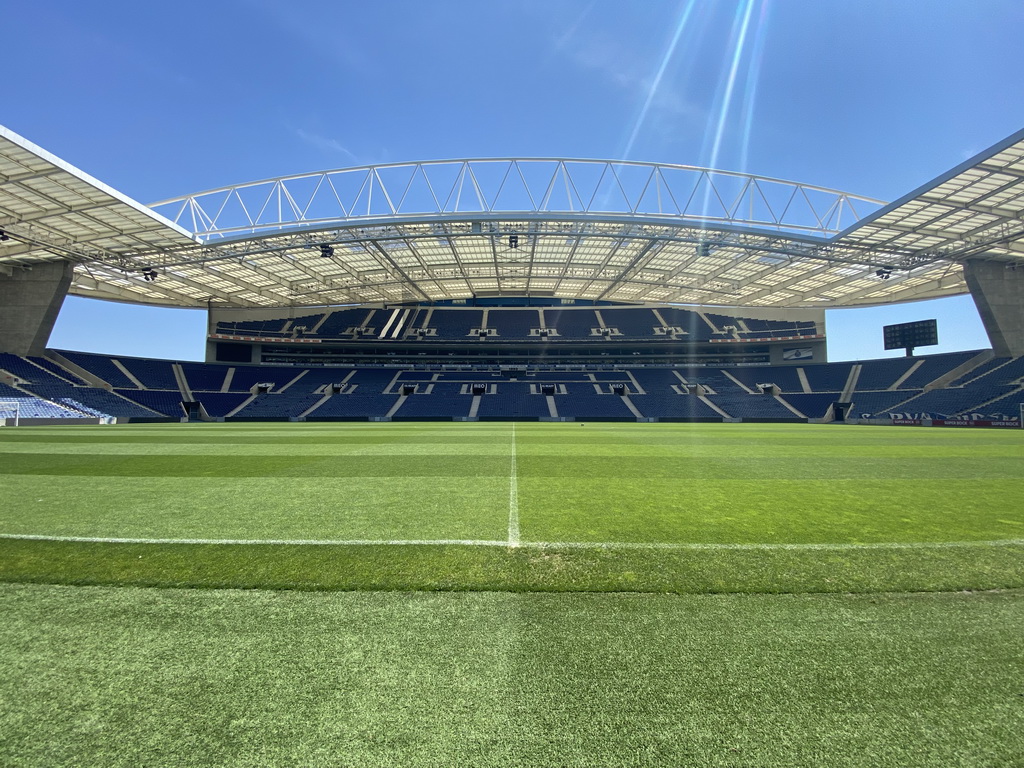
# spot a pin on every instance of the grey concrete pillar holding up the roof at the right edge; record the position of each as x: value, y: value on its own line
x: 998, y: 289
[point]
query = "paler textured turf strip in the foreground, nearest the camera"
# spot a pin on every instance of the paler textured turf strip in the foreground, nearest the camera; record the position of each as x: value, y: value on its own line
x: 130, y: 677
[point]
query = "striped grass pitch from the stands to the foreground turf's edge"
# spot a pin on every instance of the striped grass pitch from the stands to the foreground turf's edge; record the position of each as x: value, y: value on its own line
x: 638, y: 507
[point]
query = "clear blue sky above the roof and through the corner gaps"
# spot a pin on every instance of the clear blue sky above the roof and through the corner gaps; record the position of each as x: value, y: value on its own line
x: 159, y: 100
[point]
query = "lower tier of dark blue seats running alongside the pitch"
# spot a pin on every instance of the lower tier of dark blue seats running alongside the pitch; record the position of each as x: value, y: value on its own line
x: 342, y: 393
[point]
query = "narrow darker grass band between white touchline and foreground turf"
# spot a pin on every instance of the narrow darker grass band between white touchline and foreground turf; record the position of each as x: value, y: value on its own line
x: 524, y: 569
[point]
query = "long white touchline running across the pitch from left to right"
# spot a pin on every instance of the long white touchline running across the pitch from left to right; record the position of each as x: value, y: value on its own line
x: 529, y: 545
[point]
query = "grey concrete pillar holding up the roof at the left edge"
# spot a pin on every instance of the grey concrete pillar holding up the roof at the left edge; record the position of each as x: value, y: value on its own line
x: 30, y: 303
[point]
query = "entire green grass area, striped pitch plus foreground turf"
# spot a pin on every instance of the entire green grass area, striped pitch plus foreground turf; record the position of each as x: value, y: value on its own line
x: 496, y: 595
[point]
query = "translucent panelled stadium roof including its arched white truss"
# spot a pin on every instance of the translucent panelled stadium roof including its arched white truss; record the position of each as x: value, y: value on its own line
x: 575, y: 229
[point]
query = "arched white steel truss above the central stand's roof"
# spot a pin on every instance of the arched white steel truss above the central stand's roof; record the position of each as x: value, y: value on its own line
x: 517, y: 186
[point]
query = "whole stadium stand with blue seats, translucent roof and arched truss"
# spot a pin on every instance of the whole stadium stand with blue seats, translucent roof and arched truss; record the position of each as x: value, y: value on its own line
x: 553, y: 311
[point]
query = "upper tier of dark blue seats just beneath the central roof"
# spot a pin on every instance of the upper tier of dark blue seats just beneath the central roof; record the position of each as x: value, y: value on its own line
x: 519, y: 324
